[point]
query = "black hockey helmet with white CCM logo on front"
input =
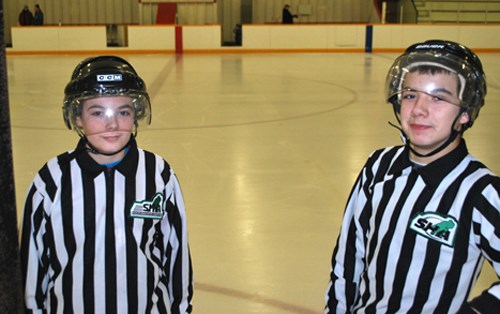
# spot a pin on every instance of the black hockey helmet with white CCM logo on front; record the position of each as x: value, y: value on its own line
x: 103, y: 76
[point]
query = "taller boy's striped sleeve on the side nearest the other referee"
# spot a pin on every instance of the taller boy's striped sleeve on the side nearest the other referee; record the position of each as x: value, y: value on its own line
x: 348, y: 255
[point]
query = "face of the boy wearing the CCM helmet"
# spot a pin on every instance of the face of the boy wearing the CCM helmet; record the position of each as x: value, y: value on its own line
x: 107, y: 122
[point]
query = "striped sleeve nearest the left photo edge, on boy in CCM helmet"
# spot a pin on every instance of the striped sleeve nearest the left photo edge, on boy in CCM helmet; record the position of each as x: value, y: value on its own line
x: 33, y: 252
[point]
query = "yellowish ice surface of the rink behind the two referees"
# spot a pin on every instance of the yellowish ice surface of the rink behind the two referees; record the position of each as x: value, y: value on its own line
x: 266, y: 147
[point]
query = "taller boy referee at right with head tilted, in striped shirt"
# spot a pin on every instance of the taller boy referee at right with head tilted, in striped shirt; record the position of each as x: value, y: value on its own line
x: 423, y: 217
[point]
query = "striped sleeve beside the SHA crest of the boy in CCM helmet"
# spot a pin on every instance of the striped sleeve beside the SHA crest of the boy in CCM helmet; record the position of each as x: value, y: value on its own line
x: 178, y: 266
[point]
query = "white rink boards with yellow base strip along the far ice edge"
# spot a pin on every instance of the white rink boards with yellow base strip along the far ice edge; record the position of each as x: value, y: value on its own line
x: 256, y: 38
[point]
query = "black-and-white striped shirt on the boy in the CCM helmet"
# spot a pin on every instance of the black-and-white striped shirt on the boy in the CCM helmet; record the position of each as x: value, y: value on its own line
x: 106, y: 240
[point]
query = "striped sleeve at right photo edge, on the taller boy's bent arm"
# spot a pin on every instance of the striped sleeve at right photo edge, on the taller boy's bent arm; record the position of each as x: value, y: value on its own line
x: 488, y: 224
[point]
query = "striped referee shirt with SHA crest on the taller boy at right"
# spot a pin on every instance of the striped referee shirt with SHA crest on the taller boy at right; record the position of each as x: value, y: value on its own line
x: 413, y: 240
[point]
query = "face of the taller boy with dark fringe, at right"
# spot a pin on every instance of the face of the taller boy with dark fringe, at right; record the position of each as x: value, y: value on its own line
x: 429, y: 106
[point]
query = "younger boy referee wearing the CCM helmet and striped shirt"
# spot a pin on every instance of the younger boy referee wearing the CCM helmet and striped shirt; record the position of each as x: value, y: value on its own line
x: 104, y: 228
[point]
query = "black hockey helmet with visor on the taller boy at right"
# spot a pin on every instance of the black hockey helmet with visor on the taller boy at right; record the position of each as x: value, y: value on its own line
x: 447, y: 55
